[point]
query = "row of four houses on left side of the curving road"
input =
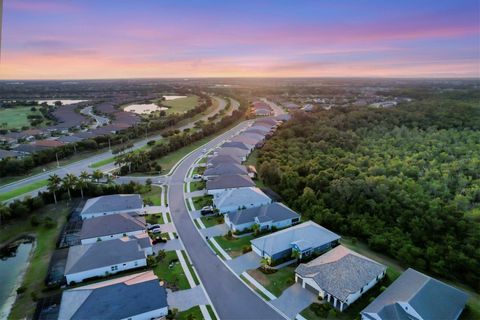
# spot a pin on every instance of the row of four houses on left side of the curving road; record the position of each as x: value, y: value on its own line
x: 113, y: 238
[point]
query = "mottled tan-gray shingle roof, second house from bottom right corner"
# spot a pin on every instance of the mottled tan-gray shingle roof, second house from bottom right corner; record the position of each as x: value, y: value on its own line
x: 344, y: 276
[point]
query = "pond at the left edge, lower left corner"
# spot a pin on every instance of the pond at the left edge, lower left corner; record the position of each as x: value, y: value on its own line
x: 13, y: 263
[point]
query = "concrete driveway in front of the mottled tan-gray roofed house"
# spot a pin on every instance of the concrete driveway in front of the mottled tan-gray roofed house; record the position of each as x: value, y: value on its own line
x: 293, y: 300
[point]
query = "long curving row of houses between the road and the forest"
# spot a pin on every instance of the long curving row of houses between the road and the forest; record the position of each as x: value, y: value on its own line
x: 336, y: 274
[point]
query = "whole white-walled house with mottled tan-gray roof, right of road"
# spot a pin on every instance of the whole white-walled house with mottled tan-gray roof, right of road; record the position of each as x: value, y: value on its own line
x: 340, y: 276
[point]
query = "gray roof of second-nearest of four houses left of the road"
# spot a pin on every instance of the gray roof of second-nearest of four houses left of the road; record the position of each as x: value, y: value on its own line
x: 101, y: 254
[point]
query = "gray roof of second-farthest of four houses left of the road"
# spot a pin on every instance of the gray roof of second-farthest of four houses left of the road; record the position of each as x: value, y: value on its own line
x: 111, y: 224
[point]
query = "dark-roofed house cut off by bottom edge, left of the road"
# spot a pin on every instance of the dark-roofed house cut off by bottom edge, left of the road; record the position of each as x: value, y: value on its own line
x: 138, y: 296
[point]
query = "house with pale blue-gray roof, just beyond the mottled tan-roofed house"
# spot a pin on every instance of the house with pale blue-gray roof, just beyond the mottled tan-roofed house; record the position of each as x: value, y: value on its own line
x: 306, y: 238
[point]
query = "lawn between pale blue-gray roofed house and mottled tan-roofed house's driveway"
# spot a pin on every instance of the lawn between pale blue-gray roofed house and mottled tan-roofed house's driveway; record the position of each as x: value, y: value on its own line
x: 275, y: 282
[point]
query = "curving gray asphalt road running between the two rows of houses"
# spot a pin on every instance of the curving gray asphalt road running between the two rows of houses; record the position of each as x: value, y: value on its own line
x: 231, y: 298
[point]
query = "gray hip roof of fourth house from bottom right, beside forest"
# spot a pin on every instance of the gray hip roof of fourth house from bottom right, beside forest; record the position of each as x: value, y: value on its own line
x: 271, y: 212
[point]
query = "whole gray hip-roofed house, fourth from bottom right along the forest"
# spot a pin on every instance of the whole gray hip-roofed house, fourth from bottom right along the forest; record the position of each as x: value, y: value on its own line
x: 275, y: 215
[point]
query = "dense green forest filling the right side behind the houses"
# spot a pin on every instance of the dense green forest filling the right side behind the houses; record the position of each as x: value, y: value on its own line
x: 406, y: 180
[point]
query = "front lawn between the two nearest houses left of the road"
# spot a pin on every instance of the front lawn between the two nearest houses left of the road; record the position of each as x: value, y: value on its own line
x: 174, y: 276
